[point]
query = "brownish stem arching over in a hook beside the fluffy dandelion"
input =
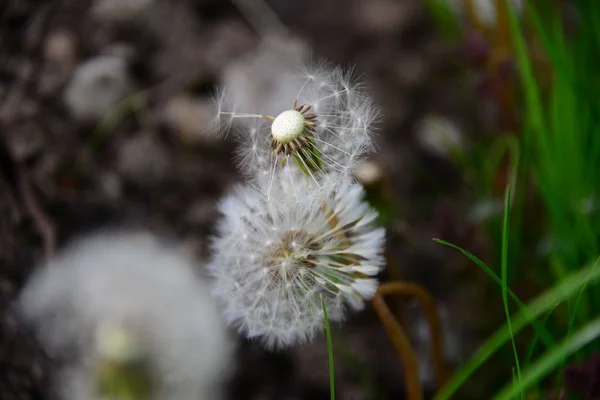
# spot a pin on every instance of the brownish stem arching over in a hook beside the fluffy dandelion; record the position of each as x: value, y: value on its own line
x: 427, y: 302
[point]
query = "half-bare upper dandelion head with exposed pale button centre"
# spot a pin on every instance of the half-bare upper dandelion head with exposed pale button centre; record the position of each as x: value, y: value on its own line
x: 326, y: 128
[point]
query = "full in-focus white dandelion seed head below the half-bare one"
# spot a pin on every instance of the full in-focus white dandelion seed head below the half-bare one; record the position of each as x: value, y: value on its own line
x: 270, y: 280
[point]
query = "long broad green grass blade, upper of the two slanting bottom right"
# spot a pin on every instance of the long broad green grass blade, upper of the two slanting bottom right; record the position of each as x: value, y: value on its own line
x: 543, y: 303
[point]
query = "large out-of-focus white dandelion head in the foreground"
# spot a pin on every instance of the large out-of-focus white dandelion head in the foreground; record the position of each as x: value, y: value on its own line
x: 116, y: 295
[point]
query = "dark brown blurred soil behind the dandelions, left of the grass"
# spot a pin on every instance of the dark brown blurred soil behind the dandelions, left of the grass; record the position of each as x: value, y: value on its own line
x: 64, y: 170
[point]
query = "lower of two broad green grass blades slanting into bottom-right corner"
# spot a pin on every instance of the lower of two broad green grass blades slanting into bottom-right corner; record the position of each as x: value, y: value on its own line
x: 550, y: 360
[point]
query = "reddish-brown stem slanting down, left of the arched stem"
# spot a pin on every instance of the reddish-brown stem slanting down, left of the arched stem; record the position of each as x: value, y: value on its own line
x: 414, y: 389
